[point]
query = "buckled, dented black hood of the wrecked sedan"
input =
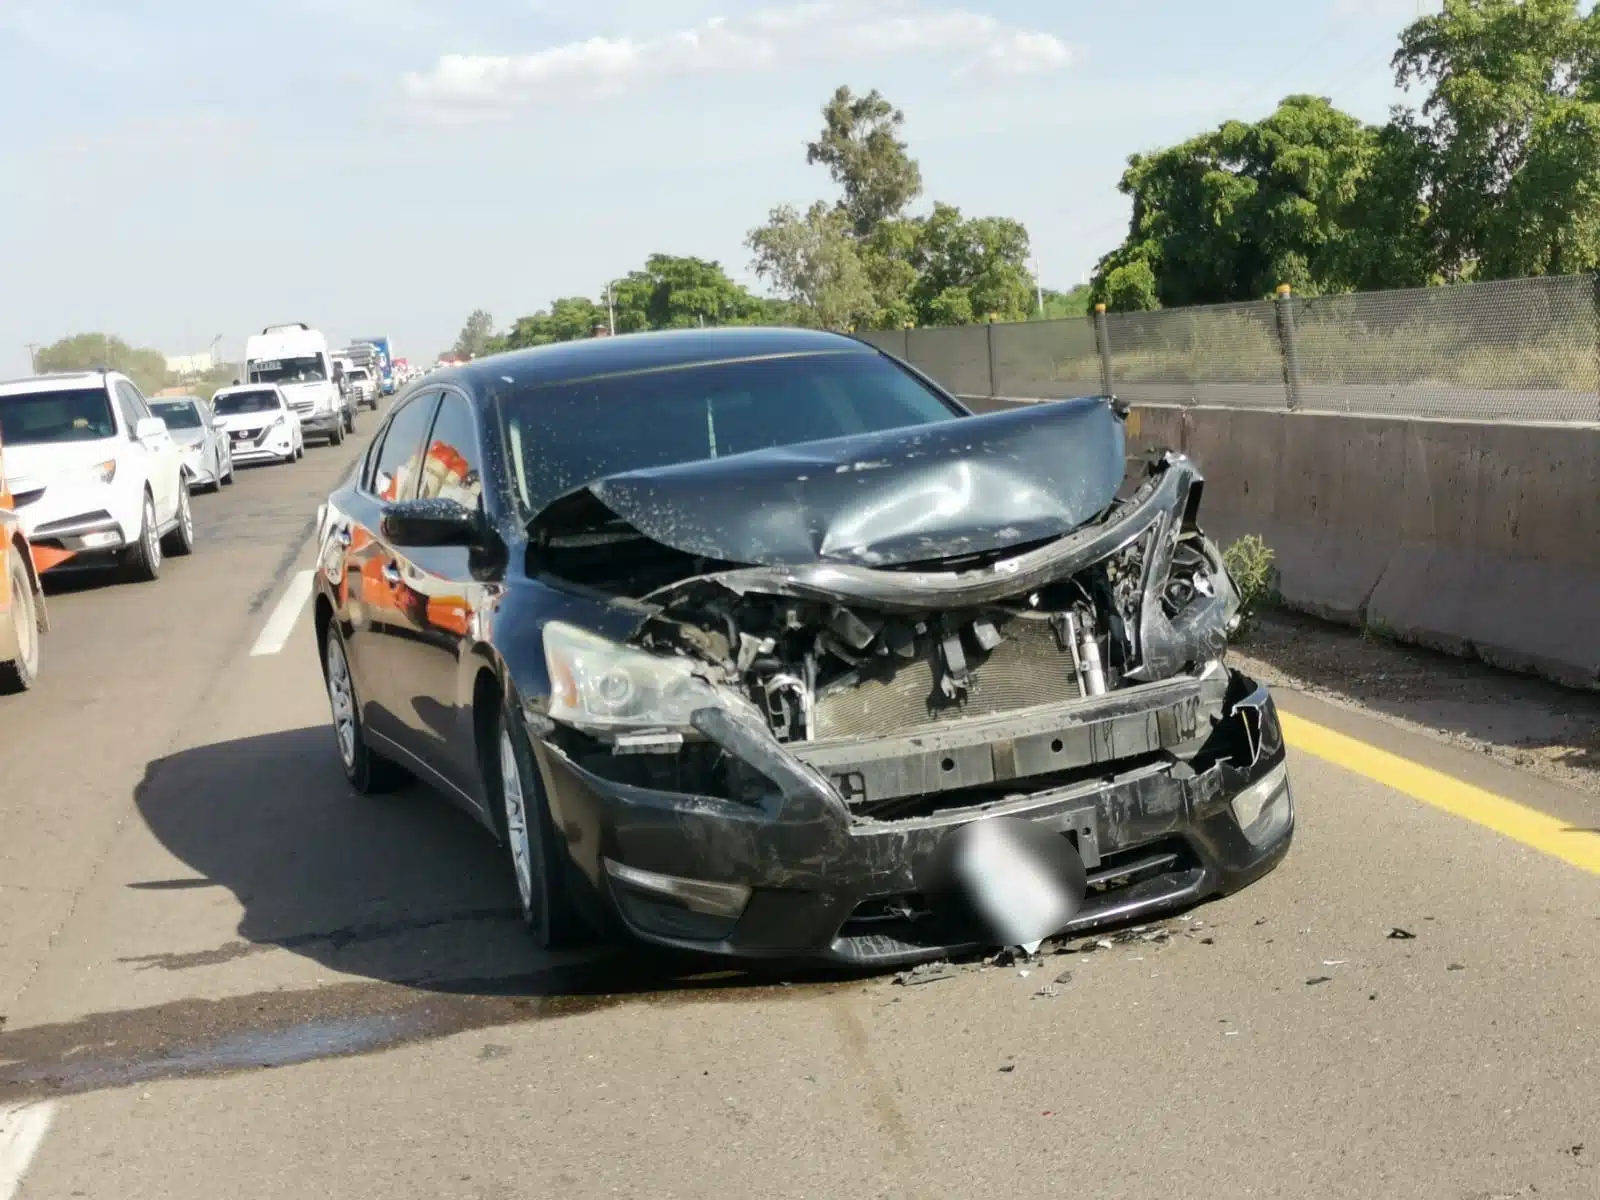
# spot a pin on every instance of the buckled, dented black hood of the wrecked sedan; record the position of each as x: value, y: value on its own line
x: 874, y: 500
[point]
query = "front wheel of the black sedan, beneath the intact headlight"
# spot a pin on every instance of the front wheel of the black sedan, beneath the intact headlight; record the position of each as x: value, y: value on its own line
x: 524, y: 818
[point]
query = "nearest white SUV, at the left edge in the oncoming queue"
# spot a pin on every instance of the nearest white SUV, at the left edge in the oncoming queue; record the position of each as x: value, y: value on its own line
x: 95, y: 474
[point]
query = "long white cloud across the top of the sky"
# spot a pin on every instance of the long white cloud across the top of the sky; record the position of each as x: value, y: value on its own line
x: 822, y: 33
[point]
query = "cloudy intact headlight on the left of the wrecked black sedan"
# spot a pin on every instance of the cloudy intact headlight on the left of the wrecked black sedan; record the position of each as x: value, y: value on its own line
x: 602, y: 686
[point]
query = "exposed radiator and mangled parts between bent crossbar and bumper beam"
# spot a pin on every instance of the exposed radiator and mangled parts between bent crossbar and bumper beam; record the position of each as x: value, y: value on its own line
x: 825, y: 670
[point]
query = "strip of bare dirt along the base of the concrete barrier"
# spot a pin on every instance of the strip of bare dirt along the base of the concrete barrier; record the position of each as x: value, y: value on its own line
x: 1522, y: 722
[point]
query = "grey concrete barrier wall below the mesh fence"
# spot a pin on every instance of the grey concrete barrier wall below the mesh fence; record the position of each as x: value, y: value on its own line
x: 1474, y: 538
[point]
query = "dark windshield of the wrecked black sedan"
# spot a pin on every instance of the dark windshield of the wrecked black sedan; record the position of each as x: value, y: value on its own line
x: 564, y: 436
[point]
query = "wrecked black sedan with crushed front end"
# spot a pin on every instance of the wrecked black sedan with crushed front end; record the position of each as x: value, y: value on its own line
x: 759, y: 642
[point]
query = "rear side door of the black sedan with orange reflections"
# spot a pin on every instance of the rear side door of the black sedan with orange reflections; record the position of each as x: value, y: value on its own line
x: 382, y: 614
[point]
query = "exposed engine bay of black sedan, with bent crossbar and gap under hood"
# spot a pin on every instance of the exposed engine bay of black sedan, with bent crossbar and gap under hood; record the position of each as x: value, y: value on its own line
x: 836, y: 652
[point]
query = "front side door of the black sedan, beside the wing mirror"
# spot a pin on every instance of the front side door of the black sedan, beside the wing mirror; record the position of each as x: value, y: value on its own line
x: 442, y: 599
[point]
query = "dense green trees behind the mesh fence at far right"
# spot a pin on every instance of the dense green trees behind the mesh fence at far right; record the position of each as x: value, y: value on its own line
x: 1495, y: 175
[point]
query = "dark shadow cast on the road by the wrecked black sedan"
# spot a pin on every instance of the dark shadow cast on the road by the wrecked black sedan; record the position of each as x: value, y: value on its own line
x: 401, y: 889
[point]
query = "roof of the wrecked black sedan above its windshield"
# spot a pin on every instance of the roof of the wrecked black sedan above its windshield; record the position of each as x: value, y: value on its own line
x: 593, y: 358
